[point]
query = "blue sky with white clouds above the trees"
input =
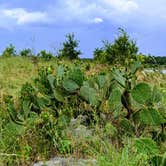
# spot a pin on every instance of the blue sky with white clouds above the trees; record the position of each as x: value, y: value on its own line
x: 43, y: 24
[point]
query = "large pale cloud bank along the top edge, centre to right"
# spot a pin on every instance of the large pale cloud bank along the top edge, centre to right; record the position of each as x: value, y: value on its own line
x: 90, y: 11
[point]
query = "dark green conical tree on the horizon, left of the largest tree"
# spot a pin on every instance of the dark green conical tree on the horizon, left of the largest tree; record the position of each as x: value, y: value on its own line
x: 69, y: 49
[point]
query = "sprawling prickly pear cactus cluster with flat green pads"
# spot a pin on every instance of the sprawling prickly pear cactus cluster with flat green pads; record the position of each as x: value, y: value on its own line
x: 118, y: 88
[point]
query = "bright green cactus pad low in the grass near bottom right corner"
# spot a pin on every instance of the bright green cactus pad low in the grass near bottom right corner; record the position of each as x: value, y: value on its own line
x: 146, y: 146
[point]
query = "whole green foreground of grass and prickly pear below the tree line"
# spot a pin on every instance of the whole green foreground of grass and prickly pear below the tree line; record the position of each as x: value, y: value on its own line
x: 61, y: 109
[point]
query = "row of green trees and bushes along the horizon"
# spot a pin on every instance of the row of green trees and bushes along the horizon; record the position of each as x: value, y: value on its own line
x: 120, y: 51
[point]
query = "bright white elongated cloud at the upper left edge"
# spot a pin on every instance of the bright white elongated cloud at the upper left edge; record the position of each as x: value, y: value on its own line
x: 21, y: 16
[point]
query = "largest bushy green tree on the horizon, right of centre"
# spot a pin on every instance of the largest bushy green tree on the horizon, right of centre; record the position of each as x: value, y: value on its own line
x: 121, y: 50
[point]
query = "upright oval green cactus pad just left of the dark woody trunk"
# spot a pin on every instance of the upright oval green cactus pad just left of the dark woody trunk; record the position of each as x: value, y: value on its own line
x: 115, y: 100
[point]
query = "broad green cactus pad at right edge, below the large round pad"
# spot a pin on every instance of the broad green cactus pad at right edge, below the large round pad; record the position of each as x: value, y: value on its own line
x: 151, y: 117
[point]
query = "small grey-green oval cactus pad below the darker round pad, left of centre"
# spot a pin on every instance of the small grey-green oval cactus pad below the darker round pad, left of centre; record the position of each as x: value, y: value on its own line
x: 70, y: 85
